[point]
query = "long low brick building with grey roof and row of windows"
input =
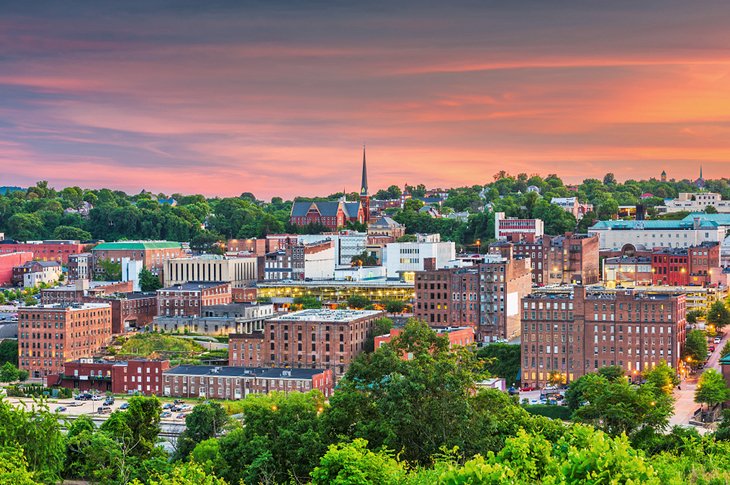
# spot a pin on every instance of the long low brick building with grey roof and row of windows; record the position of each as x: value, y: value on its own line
x: 198, y: 381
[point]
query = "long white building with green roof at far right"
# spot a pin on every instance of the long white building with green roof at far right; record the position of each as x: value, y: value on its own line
x: 614, y: 235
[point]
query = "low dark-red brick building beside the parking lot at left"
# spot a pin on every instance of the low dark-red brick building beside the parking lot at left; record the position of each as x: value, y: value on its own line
x: 130, y: 377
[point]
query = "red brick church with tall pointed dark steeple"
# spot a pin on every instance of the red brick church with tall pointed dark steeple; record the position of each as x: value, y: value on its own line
x: 335, y: 214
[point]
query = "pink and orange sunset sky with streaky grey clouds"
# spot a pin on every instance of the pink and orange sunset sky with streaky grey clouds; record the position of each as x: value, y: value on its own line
x: 277, y: 98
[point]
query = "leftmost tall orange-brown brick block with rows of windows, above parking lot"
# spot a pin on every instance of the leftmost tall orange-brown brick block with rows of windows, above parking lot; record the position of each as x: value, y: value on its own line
x: 49, y: 335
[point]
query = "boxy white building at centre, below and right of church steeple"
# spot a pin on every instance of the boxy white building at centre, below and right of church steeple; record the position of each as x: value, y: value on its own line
x: 401, y: 260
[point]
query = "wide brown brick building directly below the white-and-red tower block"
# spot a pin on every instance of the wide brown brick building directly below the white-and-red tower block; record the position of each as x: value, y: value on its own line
x: 571, y: 258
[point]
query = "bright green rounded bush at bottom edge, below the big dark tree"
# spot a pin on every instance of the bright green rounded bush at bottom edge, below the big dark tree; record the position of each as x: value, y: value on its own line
x: 350, y: 463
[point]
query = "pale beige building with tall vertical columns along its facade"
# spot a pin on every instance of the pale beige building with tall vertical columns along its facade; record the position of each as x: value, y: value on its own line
x: 239, y: 272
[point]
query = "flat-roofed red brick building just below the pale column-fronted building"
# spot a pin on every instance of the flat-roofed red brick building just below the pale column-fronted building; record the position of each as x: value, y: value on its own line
x: 188, y: 299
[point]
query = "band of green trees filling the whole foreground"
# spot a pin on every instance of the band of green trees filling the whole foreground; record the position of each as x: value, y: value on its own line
x: 390, y: 421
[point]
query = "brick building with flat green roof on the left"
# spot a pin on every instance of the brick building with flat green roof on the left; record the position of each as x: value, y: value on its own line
x: 152, y: 254
